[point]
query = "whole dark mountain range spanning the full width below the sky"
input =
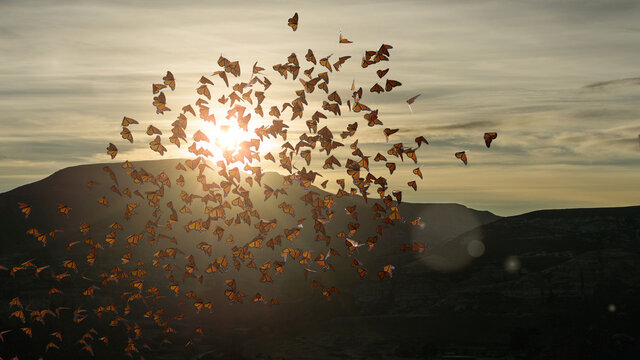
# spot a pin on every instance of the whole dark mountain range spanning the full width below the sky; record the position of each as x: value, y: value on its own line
x: 551, y: 284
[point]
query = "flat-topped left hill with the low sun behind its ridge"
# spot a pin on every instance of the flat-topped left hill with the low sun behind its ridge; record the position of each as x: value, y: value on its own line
x: 441, y: 222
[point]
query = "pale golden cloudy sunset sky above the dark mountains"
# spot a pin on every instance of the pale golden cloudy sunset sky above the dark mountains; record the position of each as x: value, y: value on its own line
x: 558, y: 80
